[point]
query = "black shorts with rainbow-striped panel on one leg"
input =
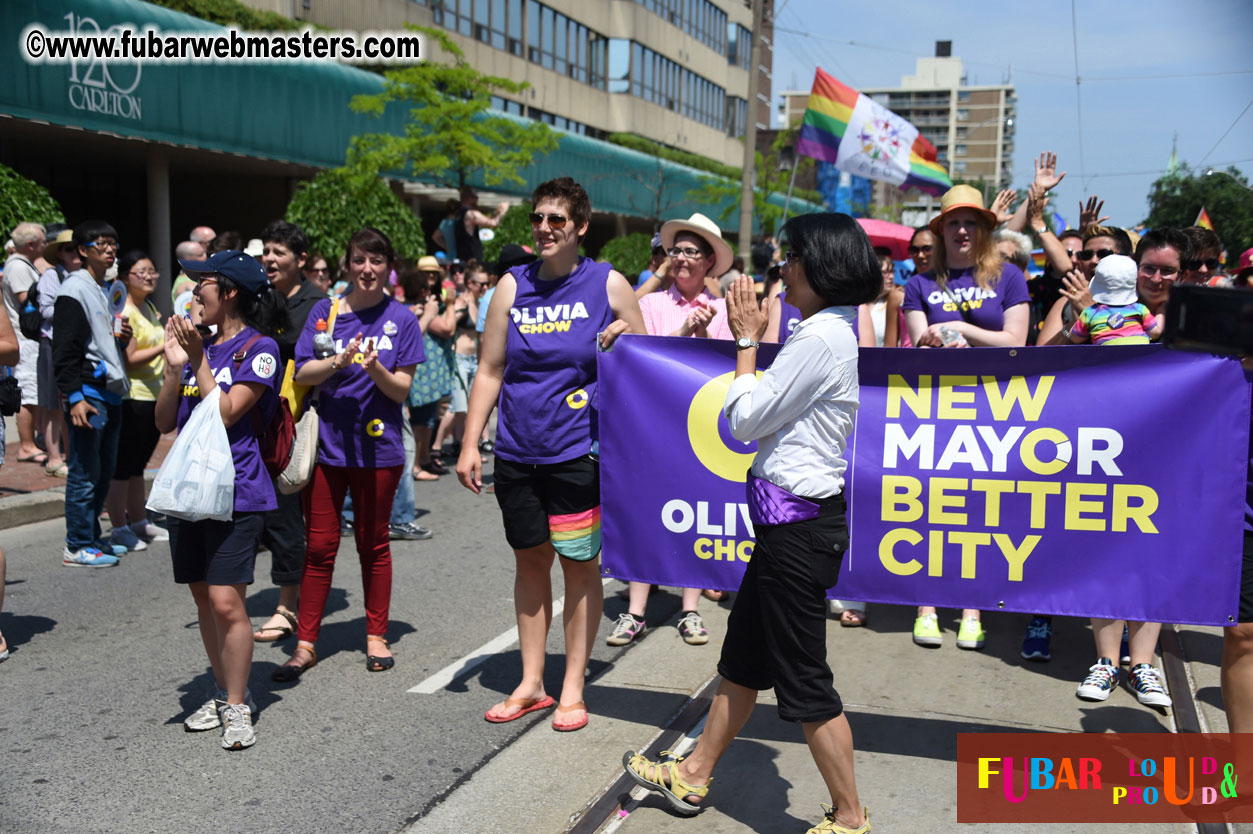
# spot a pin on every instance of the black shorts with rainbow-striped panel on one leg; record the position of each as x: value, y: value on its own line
x: 558, y: 503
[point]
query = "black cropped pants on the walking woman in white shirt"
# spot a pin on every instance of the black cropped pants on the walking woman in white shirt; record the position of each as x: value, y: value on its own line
x: 777, y: 632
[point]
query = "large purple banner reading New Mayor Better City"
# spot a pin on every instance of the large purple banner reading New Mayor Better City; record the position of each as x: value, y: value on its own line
x: 1087, y: 481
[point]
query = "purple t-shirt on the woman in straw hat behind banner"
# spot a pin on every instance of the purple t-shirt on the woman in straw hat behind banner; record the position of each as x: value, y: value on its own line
x: 985, y: 307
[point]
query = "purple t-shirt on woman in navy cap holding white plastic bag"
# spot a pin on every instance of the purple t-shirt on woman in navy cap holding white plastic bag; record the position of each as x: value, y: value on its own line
x: 255, y: 492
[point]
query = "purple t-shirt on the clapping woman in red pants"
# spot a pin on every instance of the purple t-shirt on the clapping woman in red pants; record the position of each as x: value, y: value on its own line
x: 359, y: 425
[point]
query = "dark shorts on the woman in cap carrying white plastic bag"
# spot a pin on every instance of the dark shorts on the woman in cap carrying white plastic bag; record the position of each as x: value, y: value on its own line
x: 219, y: 553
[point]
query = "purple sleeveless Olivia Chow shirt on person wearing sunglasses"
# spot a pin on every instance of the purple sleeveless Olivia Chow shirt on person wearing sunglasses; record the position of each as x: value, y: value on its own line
x: 548, y: 398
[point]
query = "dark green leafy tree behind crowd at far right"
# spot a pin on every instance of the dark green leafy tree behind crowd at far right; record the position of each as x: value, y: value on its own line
x: 1177, y: 200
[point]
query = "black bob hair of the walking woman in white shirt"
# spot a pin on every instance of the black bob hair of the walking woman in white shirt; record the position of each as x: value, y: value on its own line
x: 838, y: 257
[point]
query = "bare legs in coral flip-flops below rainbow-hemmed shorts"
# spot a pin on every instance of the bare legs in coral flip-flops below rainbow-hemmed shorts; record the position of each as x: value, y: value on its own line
x: 533, y: 603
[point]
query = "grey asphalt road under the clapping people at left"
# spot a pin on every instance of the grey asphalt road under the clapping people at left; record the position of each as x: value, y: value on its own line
x: 107, y: 663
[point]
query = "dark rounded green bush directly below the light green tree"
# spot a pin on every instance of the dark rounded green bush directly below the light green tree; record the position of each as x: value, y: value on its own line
x: 336, y: 203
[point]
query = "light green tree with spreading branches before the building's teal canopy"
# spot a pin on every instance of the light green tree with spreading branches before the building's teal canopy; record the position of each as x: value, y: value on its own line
x: 450, y: 135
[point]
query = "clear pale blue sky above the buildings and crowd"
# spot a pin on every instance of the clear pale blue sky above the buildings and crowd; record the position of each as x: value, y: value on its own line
x: 1122, y: 142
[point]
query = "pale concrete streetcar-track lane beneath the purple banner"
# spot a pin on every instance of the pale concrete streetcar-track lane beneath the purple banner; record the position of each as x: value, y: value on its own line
x: 907, y: 707
